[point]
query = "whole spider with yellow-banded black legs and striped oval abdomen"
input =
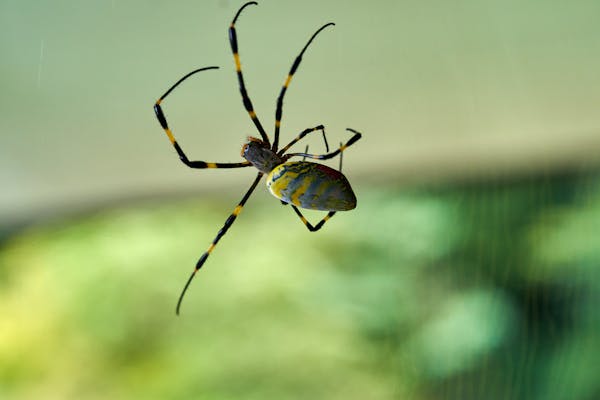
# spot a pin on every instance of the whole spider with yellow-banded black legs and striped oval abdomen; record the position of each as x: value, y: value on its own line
x: 301, y: 184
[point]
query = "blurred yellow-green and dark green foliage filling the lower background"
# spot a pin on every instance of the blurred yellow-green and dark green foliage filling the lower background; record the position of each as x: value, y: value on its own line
x: 480, y: 291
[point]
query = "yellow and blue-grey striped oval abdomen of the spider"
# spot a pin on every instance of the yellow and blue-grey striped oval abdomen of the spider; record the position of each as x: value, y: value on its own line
x: 312, y: 186
